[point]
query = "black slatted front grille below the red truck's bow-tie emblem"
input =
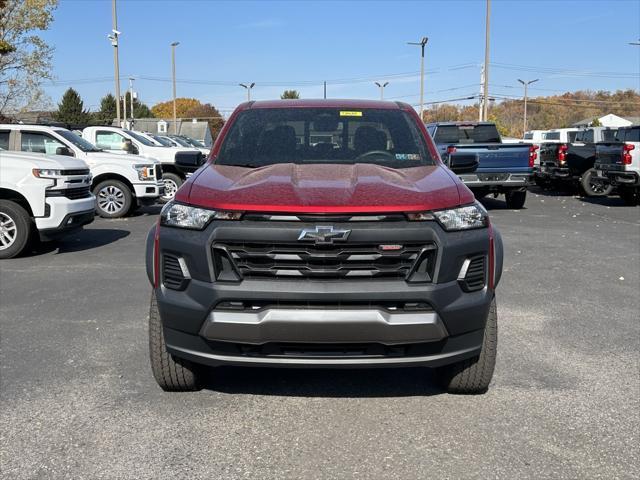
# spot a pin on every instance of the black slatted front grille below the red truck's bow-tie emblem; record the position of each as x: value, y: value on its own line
x: 328, y: 262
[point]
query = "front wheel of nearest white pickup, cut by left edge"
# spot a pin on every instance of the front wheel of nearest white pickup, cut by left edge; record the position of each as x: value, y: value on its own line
x: 15, y: 229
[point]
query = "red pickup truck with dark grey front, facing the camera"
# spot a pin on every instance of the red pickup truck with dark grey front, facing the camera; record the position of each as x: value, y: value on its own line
x: 324, y: 233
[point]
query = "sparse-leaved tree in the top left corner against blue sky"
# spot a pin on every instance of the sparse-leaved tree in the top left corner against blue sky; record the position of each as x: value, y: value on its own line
x: 25, y: 58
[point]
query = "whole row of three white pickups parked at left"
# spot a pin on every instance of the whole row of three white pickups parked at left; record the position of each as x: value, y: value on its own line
x: 53, y: 180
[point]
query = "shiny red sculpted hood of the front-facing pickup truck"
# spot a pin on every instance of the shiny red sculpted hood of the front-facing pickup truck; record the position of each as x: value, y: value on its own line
x: 316, y: 188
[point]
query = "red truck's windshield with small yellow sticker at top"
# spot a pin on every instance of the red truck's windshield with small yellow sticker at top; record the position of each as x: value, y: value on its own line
x: 268, y: 136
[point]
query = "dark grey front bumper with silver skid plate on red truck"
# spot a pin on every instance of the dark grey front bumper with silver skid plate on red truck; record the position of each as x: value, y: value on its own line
x: 345, y: 323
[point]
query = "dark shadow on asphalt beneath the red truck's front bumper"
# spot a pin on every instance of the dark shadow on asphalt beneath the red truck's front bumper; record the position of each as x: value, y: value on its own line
x: 326, y: 383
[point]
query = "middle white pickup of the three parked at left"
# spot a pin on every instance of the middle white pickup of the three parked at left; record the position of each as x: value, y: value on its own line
x: 121, y: 183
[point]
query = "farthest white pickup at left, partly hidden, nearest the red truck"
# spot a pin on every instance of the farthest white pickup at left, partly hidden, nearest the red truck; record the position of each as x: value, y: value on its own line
x: 118, y: 140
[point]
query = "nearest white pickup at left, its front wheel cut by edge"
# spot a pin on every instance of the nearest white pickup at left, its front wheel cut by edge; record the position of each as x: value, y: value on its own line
x: 48, y: 195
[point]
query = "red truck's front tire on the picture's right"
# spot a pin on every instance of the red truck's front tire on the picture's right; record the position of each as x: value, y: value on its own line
x: 473, y: 376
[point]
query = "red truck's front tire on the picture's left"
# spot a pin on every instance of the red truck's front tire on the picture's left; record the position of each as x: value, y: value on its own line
x: 173, y: 374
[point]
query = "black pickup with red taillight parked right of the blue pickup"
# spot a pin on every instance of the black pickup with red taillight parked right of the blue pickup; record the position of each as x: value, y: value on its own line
x: 563, y: 164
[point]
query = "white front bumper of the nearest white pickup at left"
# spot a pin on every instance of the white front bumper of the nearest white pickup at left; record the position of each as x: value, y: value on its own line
x: 65, y: 214
